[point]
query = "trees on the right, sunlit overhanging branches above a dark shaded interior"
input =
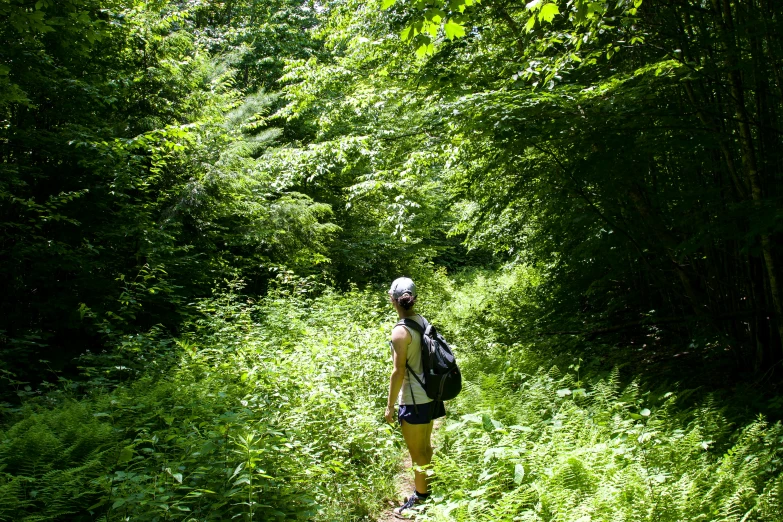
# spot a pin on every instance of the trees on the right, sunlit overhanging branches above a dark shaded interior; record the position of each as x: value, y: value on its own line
x: 633, y: 146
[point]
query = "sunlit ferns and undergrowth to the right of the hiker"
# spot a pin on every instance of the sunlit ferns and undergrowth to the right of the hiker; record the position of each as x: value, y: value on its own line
x: 534, y: 438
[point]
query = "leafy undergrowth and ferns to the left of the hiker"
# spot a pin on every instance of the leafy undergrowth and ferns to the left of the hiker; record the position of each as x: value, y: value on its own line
x: 265, y: 411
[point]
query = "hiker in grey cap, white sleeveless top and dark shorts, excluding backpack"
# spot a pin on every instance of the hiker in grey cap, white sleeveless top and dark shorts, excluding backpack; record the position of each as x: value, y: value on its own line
x: 417, y: 411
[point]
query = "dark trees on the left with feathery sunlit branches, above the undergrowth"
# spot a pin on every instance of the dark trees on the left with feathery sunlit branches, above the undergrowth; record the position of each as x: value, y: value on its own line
x: 131, y: 175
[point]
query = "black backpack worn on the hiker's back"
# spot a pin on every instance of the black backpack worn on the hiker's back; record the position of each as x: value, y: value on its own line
x: 442, y: 378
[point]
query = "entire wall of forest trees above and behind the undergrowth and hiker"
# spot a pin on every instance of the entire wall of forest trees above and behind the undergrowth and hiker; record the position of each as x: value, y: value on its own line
x: 621, y: 160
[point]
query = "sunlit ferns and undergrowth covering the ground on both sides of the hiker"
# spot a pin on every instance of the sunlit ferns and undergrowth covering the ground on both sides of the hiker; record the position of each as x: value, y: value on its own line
x: 272, y: 411
